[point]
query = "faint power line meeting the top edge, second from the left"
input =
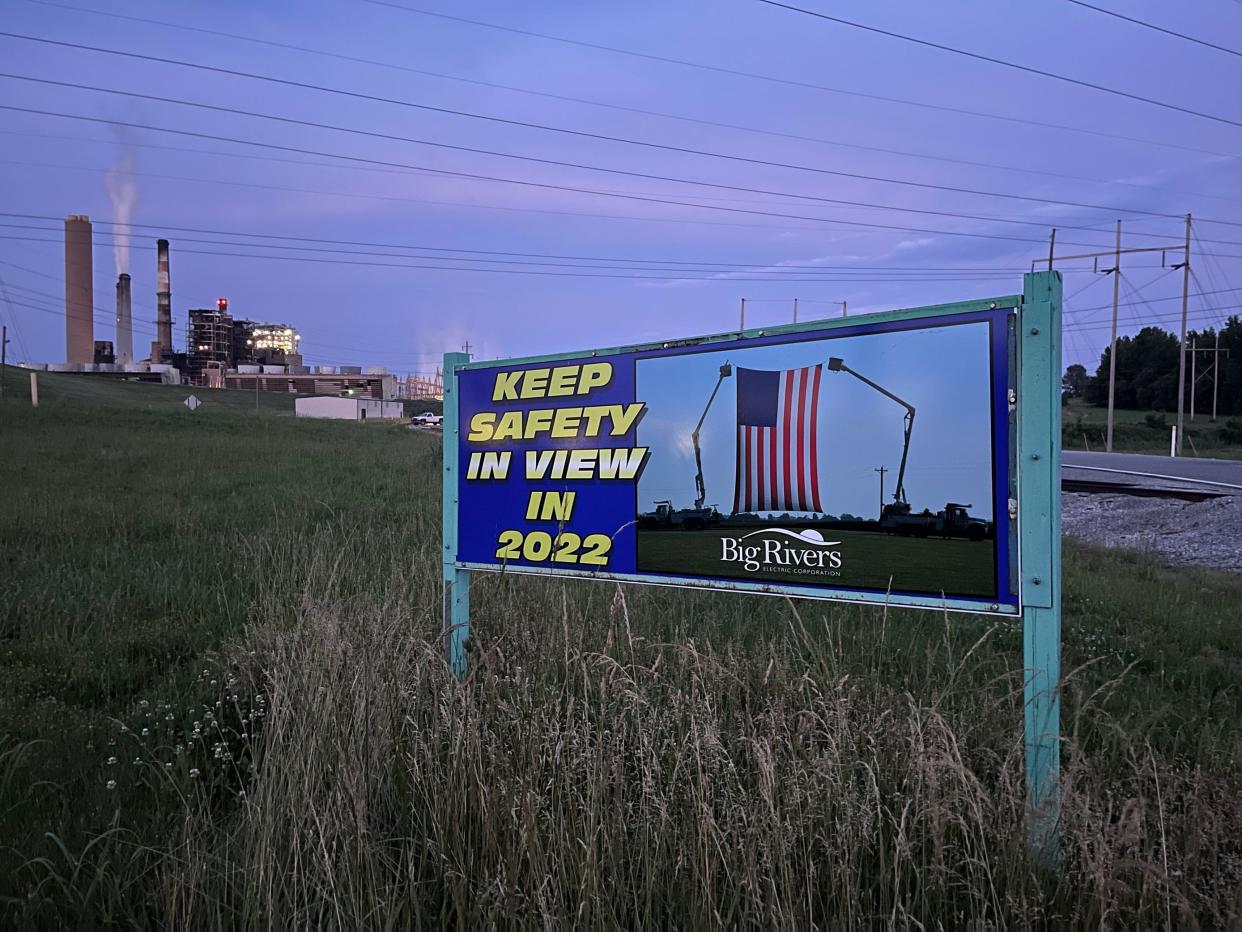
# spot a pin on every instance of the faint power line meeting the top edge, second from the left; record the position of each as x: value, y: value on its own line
x: 791, y: 83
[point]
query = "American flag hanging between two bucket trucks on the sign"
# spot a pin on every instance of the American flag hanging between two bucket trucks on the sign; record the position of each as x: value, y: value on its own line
x: 777, y: 441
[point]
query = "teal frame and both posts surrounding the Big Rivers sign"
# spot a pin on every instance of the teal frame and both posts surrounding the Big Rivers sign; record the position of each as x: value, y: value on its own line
x: 1034, y: 513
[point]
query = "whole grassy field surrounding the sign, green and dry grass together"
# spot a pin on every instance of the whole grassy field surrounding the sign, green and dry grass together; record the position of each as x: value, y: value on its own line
x: 225, y: 705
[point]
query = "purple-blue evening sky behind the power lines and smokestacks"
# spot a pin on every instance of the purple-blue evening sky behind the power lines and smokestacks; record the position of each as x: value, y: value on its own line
x: 408, y: 318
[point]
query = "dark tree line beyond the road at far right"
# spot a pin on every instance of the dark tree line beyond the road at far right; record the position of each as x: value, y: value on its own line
x: 1147, y: 372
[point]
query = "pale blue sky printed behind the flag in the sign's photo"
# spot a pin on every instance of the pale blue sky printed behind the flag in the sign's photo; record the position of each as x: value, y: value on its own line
x: 943, y: 372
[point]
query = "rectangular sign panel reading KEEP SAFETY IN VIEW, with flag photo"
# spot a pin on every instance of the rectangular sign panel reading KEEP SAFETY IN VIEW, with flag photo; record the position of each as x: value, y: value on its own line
x: 865, y: 460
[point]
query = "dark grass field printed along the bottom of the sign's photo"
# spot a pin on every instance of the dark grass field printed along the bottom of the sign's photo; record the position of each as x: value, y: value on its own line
x: 870, y: 561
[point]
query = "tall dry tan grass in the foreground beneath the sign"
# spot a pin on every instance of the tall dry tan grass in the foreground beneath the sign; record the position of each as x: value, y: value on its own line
x: 640, y: 759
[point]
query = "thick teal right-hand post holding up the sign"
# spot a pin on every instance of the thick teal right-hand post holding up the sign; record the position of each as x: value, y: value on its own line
x: 1040, y: 540
